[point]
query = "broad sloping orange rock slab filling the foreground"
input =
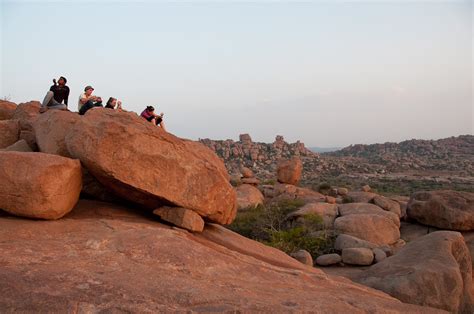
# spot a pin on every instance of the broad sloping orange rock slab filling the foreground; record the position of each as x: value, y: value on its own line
x: 104, y: 257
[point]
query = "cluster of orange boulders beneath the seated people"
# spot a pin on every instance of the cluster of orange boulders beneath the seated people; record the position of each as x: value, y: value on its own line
x: 48, y: 160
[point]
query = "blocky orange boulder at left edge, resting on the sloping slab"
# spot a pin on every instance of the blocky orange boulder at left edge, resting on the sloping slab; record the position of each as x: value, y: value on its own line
x: 38, y: 185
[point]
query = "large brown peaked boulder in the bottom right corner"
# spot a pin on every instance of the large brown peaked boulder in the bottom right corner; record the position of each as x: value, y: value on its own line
x: 434, y: 270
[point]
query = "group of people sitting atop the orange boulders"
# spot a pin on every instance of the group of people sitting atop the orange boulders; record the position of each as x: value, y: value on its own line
x: 58, y: 95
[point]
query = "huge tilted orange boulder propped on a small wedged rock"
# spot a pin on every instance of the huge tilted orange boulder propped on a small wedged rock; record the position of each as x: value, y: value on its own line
x: 146, y: 165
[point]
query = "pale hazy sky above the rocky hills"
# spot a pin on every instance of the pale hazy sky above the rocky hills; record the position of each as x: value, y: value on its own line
x: 327, y: 73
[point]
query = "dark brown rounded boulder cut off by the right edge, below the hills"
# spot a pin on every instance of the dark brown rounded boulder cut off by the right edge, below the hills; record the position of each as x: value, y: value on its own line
x: 443, y: 209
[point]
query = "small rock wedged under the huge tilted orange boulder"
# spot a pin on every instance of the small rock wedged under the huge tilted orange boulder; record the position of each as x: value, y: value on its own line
x: 181, y: 217
